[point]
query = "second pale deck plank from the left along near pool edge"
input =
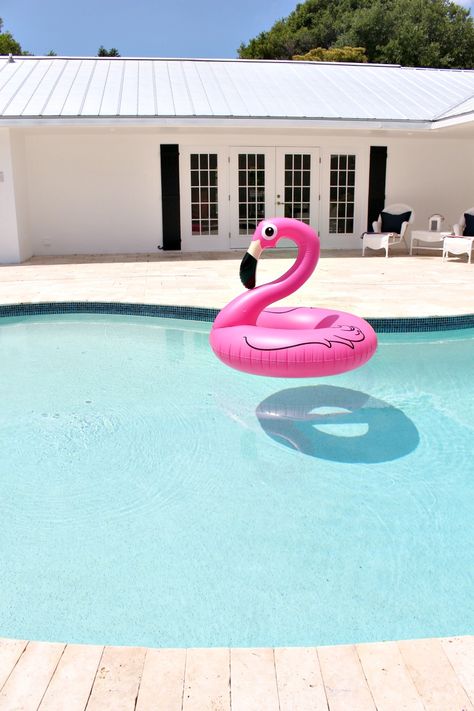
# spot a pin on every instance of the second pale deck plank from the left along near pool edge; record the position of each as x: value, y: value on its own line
x: 29, y: 679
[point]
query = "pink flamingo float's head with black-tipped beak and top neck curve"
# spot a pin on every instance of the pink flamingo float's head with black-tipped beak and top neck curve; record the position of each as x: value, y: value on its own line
x: 266, y: 236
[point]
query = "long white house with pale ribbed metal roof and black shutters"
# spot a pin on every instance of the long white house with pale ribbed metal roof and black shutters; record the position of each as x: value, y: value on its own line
x: 113, y: 155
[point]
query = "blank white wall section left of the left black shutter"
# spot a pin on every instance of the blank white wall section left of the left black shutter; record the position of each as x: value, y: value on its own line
x: 95, y: 191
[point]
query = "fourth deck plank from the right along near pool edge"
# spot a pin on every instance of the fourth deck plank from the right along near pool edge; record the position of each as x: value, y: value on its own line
x: 344, y: 679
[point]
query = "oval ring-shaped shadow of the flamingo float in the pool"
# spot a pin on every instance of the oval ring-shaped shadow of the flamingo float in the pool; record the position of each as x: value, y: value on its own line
x: 350, y: 427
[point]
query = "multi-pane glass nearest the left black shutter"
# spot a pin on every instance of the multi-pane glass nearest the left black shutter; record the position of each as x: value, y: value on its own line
x: 204, y: 218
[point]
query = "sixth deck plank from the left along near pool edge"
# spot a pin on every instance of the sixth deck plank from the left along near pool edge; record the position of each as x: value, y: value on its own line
x: 206, y: 681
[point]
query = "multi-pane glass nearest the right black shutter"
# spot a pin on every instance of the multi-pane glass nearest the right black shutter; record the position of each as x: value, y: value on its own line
x: 342, y: 194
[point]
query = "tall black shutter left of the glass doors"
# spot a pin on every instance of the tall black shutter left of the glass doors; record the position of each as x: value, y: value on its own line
x: 170, y: 196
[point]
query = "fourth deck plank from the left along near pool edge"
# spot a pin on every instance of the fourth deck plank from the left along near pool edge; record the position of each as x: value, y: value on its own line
x: 117, y: 680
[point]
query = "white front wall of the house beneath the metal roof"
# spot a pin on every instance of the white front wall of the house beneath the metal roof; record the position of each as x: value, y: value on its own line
x: 98, y: 190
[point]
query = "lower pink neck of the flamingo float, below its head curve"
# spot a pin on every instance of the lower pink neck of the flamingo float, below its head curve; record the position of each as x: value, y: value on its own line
x: 246, y: 308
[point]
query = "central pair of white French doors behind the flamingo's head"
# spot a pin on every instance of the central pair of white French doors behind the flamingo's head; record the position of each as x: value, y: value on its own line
x: 271, y: 182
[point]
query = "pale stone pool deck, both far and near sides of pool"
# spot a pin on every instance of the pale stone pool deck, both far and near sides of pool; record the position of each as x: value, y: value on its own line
x: 430, y: 675
